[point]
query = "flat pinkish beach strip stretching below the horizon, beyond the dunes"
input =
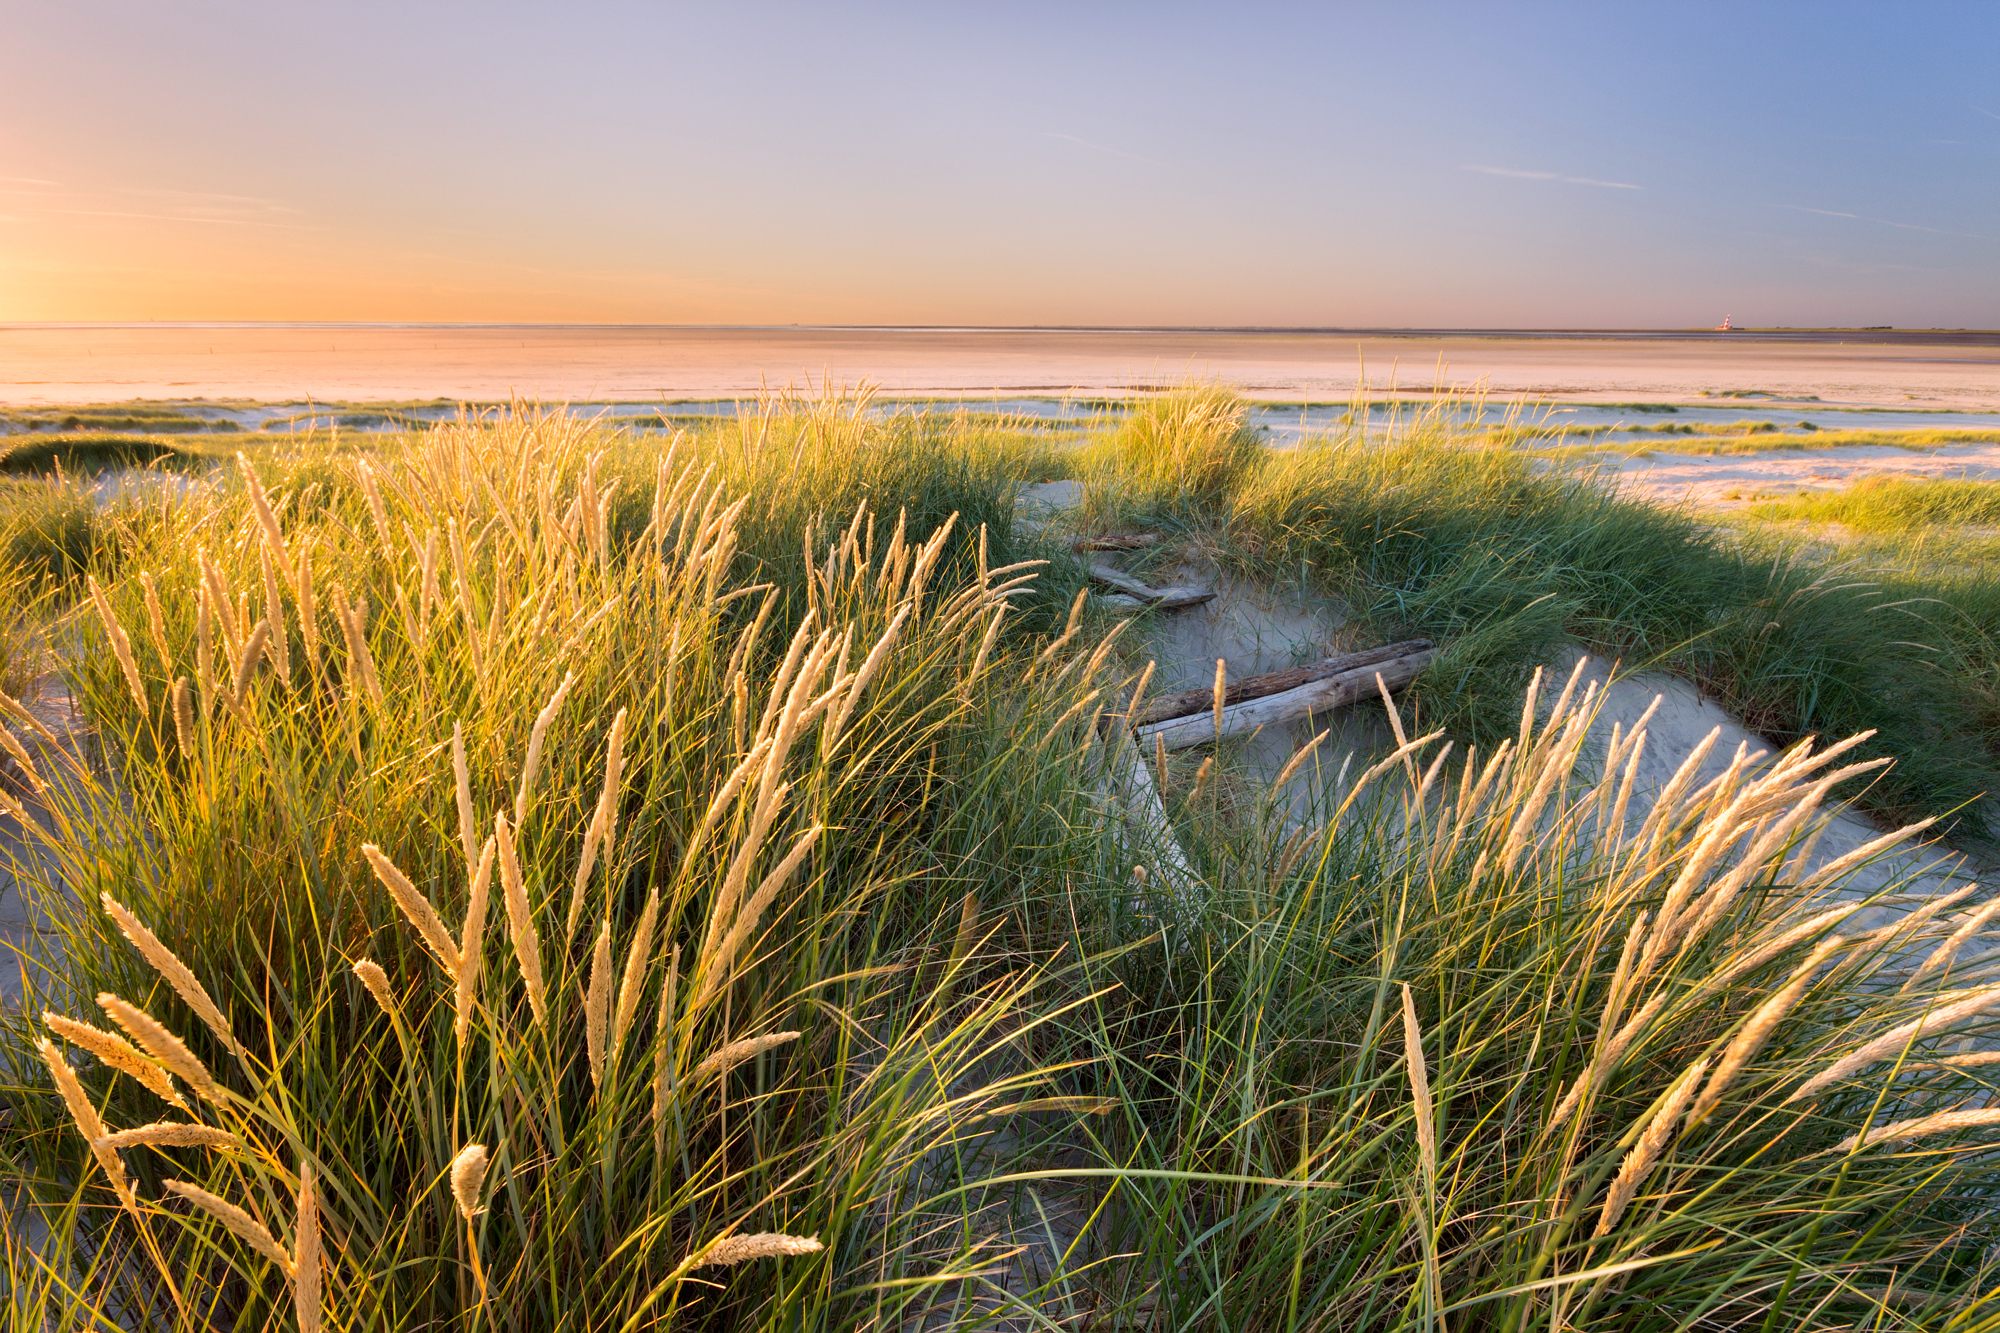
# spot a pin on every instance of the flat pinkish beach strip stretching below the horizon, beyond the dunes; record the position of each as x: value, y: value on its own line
x: 109, y: 363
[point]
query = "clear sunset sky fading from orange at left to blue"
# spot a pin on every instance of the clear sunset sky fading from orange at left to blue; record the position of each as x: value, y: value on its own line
x: 1273, y: 165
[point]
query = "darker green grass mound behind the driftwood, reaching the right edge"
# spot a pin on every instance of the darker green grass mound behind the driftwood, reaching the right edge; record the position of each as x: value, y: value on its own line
x: 1503, y: 559
